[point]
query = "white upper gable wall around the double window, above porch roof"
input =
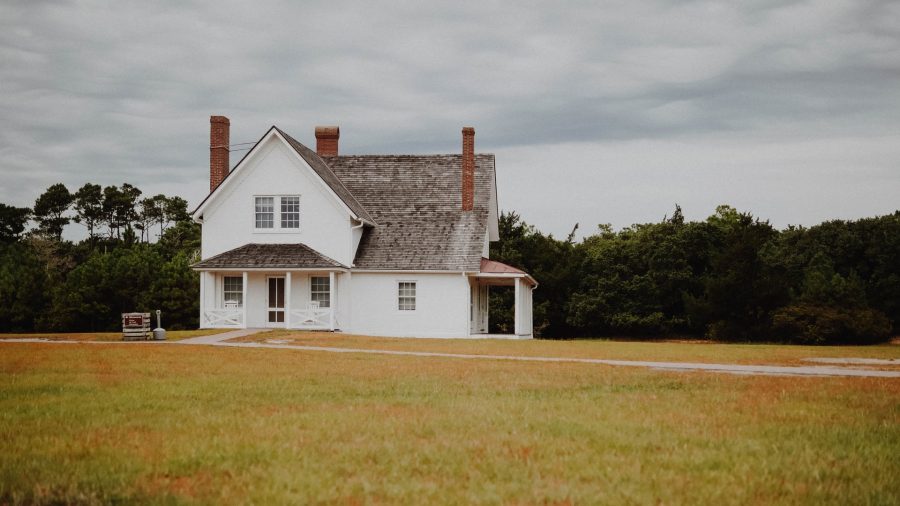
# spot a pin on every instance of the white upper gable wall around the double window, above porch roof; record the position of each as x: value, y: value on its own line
x: 275, y: 169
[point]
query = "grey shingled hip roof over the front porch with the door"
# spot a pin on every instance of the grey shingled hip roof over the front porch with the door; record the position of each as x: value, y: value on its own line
x: 270, y: 256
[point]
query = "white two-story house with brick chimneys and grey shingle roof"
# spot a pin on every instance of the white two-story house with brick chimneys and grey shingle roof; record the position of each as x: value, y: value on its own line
x: 393, y: 245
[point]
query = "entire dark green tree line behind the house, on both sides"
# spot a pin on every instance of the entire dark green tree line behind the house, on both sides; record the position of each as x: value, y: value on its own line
x: 730, y: 277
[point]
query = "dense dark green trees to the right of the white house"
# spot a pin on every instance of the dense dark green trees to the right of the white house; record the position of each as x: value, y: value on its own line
x: 730, y: 277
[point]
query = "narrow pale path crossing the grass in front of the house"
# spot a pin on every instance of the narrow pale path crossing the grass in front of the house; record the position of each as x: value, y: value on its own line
x: 770, y: 370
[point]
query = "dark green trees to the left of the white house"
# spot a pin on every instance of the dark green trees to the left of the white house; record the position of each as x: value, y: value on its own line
x: 136, y: 257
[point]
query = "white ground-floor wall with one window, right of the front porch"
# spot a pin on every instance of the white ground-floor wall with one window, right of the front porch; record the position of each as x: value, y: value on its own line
x: 442, y: 305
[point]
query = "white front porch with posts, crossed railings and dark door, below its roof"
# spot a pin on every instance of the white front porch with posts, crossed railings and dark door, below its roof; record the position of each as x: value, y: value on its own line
x: 302, y: 300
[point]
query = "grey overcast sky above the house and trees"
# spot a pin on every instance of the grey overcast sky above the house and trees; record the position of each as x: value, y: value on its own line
x: 598, y: 112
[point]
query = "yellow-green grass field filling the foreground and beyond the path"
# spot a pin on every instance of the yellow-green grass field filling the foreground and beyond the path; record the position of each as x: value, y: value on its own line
x: 169, y: 424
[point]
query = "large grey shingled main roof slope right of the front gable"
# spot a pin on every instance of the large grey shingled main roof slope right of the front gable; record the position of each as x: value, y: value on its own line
x: 417, y: 202
